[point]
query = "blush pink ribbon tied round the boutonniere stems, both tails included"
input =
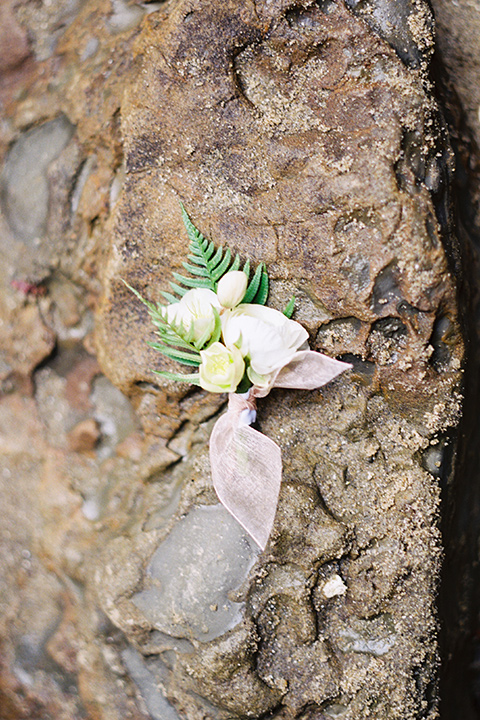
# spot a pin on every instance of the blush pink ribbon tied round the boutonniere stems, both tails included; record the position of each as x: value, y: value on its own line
x: 247, y: 465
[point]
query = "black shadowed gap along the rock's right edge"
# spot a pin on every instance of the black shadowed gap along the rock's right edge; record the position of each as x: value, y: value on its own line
x: 459, y: 603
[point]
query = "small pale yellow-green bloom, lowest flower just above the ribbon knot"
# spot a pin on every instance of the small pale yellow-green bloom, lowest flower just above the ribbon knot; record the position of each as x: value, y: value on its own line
x: 221, y: 368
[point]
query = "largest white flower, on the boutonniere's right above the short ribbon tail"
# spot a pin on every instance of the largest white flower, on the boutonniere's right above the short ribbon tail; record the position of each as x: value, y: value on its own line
x: 265, y: 336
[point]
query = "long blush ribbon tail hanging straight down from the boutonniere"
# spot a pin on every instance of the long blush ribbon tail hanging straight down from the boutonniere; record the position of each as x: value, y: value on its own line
x: 246, y: 474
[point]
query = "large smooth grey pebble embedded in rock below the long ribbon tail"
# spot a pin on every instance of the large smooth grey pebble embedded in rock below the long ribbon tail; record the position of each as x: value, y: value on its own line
x: 206, y: 557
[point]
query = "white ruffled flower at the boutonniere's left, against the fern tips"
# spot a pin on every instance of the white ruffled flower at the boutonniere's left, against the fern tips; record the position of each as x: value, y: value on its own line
x: 196, y: 307
